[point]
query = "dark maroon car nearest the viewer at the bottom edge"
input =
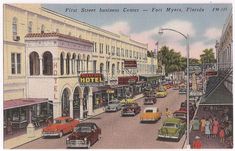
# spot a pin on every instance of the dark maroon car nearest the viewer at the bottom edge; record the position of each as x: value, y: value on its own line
x: 84, y: 135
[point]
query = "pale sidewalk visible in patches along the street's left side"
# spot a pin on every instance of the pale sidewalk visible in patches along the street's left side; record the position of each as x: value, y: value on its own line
x: 23, y: 139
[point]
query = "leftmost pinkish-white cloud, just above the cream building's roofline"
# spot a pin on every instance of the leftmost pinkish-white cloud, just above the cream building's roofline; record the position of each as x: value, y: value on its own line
x: 120, y: 27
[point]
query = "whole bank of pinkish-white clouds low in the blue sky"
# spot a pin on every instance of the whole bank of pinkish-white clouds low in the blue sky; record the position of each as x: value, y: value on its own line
x: 173, y: 40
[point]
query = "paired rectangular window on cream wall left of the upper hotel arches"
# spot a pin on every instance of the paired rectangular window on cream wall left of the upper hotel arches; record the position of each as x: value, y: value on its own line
x: 15, y: 63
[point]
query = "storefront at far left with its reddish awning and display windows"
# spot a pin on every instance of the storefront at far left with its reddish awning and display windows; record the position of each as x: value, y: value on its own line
x: 20, y: 112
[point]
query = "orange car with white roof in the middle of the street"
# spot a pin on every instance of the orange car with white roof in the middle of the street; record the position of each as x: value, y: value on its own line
x: 150, y: 114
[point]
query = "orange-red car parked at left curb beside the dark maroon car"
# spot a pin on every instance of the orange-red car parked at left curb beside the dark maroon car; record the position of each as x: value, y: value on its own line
x: 61, y: 126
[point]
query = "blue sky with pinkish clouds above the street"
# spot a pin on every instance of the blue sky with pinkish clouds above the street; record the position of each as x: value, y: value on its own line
x: 204, y: 27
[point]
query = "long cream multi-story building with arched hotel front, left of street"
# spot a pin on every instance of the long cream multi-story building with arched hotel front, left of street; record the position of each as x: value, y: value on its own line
x: 44, y: 53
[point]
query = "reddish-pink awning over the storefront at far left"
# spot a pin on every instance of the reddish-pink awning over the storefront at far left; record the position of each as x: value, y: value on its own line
x: 10, y: 104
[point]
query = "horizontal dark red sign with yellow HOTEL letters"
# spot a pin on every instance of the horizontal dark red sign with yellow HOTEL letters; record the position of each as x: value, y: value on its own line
x: 91, y: 79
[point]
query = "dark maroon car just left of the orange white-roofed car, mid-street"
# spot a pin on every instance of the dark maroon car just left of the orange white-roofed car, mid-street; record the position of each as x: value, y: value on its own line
x: 130, y: 109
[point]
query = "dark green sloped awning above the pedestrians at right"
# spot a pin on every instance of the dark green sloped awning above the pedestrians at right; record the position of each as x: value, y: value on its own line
x: 221, y: 96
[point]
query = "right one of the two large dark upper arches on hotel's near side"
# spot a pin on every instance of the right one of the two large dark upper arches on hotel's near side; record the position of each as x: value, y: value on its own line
x: 47, y: 63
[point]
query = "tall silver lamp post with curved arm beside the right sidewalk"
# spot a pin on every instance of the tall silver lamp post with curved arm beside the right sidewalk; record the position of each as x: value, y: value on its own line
x: 187, y: 49
